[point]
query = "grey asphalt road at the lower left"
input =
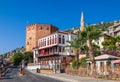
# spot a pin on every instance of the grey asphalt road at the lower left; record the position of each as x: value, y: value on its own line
x: 14, y: 76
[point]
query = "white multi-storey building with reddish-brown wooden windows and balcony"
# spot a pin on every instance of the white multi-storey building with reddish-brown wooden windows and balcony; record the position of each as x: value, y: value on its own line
x: 52, y: 51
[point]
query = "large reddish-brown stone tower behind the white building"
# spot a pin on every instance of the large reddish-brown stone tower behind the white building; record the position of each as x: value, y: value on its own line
x: 36, y: 31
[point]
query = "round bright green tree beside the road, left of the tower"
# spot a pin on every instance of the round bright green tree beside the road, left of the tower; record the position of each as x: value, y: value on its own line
x: 17, y: 58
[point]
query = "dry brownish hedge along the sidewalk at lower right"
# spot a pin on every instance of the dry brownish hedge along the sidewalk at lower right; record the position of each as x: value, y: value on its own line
x: 84, y: 72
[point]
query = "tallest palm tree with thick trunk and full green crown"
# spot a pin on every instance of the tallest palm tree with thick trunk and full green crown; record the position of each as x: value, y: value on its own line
x: 91, y: 33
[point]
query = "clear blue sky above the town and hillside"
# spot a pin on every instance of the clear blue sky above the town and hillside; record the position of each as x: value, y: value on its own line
x: 65, y: 14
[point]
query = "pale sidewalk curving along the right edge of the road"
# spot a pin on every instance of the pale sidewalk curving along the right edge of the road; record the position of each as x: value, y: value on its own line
x: 68, y: 78
